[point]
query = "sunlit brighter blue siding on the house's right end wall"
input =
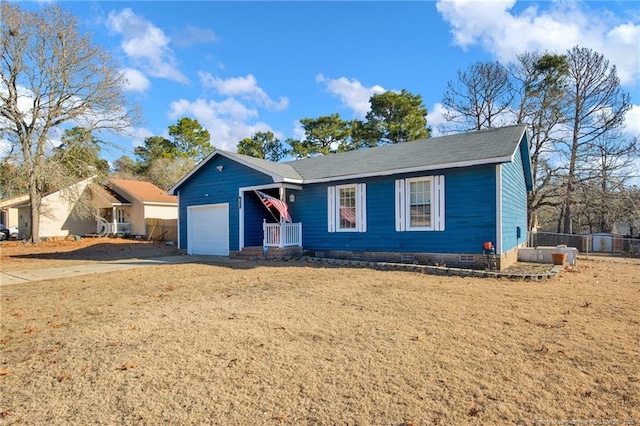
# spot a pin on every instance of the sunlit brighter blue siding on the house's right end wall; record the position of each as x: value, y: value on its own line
x: 514, y: 202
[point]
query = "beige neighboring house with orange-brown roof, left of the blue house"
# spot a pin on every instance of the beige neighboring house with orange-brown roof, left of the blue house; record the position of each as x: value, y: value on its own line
x: 122, y: 206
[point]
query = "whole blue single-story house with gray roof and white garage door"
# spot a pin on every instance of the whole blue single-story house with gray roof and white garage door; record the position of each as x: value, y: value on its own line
x: 443, y: 200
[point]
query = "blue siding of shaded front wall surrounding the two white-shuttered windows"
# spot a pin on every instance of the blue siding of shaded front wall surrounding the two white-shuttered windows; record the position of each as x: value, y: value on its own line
x: 470, y: 212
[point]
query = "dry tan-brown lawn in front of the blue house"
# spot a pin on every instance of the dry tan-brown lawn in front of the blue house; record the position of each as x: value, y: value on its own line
x: 295, y: 343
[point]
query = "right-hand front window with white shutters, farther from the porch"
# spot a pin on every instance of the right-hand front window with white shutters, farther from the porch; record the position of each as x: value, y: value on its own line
x: 419, y: 204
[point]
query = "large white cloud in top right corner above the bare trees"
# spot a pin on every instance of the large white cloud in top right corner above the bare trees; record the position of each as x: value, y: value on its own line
x: 561, y: 26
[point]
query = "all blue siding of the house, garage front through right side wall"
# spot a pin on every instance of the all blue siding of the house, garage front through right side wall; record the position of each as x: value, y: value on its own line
x: 470, y: 208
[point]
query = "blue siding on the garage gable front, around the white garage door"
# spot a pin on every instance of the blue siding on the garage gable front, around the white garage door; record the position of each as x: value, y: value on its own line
x: 210, y: 186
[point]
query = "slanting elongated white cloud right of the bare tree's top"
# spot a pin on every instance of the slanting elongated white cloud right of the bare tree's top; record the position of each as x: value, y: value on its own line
x: 145, y: 44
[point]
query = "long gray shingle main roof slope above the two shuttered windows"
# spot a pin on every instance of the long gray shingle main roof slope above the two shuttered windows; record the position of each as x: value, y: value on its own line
x: 482, y: 147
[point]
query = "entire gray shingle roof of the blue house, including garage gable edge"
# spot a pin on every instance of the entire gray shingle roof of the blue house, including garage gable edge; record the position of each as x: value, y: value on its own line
x: 491, y: 146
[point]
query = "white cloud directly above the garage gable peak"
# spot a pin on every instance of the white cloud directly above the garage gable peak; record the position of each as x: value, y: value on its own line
x: 226, y: 121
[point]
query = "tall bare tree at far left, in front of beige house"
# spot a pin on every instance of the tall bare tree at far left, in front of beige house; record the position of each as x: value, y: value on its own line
x: 53, y: 76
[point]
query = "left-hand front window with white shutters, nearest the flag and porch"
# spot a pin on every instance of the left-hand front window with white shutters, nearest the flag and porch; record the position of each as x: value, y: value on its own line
x: 347, y: 208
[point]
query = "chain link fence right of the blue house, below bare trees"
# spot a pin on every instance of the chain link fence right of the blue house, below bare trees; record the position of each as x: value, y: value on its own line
x: 596, y: 244
